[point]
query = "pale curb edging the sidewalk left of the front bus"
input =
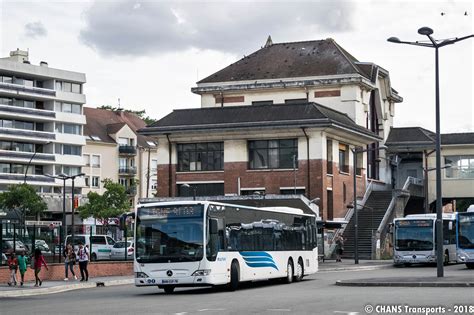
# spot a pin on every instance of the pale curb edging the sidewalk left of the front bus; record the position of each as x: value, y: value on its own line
x: 64, y: 288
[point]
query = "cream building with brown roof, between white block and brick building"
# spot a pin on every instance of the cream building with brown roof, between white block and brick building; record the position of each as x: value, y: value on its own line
x: 115, y: 151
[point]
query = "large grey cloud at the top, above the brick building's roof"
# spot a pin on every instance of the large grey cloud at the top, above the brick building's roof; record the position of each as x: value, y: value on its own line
x: 150, y: 28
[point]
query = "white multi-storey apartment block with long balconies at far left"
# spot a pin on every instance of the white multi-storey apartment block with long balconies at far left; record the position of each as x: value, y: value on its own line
x: 41, y: 128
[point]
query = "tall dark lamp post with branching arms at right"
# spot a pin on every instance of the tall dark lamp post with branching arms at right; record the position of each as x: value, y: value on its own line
x: 436, y: 44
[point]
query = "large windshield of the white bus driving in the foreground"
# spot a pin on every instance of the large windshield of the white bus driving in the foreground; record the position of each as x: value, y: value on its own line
x: 169, y: 233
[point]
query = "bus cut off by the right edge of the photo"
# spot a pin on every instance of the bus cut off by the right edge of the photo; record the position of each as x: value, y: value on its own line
x: 465, y: 237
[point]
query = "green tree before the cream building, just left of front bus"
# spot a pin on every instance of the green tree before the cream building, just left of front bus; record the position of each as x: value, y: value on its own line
x: 111, y: 204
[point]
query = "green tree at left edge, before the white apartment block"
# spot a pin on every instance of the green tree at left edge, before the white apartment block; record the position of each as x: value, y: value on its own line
x: 22, y: 199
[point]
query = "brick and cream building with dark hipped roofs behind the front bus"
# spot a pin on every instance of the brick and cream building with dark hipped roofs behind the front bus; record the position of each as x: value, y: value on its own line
x: 282, y: 120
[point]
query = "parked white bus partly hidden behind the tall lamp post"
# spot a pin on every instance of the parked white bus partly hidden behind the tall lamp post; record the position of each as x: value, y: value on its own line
x: 415, y: 239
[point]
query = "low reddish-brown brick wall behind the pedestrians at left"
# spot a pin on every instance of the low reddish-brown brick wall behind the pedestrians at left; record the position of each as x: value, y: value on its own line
x: 56, y: 271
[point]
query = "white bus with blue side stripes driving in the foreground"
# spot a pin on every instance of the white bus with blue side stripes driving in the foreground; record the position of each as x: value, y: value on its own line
x: 201, y: 243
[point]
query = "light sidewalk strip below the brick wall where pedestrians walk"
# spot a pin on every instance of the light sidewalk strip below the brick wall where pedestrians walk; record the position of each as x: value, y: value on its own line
x: 51, y: 286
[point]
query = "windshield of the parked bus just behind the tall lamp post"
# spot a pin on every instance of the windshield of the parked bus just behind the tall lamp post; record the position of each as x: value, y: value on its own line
x: 414, y: 235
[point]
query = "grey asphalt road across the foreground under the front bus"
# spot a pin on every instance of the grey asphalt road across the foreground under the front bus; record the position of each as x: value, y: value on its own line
x: 317, y: 294
